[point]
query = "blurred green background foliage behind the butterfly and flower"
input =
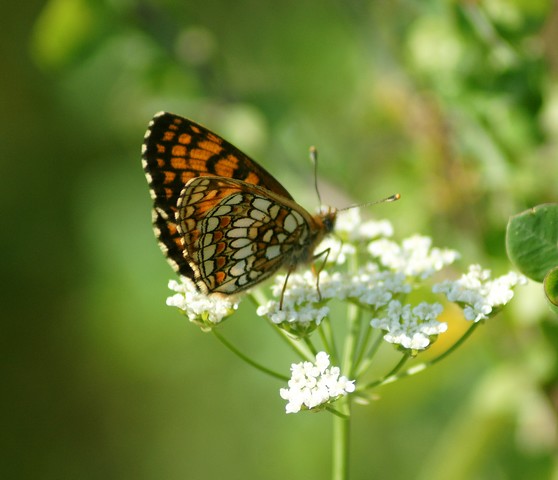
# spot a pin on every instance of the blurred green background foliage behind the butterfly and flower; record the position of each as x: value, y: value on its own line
x: 454, y: 104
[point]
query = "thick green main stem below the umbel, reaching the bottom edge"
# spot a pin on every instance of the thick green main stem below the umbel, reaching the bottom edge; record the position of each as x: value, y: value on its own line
x: 341, y: 436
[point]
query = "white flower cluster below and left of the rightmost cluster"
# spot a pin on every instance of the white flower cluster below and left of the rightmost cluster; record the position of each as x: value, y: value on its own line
x: 412, y: 328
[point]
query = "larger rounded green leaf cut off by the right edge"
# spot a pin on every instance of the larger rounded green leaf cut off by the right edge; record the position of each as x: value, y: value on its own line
x: 532, y: 240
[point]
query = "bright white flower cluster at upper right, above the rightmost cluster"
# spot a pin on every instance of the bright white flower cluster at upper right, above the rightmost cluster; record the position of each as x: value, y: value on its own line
x: 415, y: 257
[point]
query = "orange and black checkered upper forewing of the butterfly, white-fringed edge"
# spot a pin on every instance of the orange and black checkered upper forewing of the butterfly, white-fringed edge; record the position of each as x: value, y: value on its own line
x: 176, y: 150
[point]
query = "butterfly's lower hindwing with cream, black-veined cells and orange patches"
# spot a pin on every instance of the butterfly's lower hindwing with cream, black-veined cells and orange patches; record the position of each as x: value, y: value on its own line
x: 236, y: 234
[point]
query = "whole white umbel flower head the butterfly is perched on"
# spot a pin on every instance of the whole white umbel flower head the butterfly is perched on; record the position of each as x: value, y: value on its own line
x: 385, y: 280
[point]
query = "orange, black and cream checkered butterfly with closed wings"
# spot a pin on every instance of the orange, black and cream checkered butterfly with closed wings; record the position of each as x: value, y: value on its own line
x: 220, y: 218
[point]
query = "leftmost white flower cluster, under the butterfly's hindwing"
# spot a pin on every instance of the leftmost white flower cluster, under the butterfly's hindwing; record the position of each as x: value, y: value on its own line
x: 204, y: 310
